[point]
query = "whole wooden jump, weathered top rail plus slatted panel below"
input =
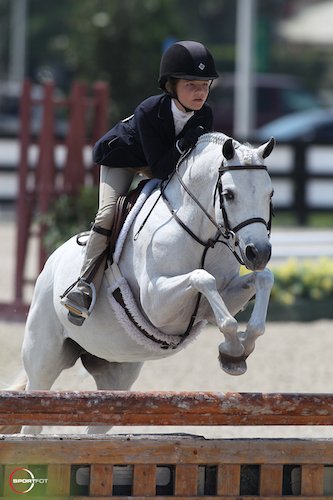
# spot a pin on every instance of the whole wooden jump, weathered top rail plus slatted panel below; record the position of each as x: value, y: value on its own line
x: 163, y: 466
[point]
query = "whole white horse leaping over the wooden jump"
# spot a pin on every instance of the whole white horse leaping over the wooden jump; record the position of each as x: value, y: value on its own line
x: 178, y: 270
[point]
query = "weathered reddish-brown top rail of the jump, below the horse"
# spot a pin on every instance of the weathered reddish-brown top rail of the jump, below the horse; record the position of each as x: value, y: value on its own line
x: 164, y: 408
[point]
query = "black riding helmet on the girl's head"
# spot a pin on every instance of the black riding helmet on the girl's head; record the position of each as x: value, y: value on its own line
x: 187, y: 60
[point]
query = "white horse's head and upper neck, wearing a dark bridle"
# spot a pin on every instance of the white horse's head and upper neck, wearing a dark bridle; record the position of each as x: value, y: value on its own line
x: 241, y: 202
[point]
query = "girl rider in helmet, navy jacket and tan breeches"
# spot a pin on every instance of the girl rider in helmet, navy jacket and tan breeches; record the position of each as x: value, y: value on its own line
x: 150, y: 141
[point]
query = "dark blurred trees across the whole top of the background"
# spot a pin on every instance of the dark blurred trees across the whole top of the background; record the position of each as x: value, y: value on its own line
x: 121, y: 41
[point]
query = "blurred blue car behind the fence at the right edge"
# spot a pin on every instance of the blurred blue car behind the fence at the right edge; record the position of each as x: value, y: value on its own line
x: 311, y: 125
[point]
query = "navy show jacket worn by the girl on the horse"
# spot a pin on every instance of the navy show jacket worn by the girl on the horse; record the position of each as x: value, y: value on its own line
x: 147, y: 138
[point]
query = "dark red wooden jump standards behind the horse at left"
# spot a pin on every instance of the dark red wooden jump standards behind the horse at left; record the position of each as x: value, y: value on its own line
x: 37, y: 183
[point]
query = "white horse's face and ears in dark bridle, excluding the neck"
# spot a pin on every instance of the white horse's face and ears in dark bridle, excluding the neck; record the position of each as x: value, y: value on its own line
x: 246, y: 200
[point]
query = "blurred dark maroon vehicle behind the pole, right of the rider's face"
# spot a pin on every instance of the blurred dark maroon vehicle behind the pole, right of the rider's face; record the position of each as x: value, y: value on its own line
x: 276, y: 95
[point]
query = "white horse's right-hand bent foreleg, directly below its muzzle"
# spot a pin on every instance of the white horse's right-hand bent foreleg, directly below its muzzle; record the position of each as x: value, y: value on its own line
x: 256, y: 326
